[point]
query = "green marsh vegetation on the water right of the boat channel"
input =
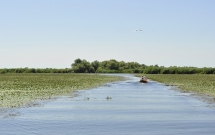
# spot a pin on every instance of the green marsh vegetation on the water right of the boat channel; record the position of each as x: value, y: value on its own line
x: 198, y: 83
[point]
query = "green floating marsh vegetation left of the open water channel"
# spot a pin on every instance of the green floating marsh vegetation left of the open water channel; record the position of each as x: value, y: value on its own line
x: 19, y: 89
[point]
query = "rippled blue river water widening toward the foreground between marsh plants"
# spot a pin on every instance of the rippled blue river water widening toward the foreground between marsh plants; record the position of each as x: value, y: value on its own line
x: 120, y: 108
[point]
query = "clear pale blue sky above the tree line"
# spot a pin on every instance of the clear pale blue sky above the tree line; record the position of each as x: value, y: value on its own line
x: 53, y: 33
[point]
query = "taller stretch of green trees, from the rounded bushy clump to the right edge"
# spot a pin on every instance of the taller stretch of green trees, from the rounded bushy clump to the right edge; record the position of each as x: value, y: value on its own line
x: 113, y: 66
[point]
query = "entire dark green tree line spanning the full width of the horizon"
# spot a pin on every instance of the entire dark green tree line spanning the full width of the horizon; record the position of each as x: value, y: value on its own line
x: 114, y: 66
